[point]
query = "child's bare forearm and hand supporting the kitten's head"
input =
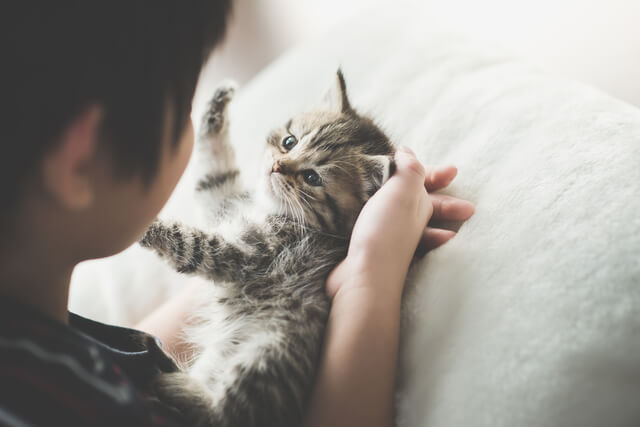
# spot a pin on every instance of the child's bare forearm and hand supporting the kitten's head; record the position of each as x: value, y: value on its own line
x: 358, y: 367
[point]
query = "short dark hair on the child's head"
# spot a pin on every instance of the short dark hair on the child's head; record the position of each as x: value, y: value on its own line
x: 135, y: 58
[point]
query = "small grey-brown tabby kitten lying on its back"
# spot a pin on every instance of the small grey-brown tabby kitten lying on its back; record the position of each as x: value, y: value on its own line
x: 268, y: 255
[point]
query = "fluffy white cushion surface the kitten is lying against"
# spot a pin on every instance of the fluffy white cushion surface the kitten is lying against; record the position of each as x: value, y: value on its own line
x: 531, y: 315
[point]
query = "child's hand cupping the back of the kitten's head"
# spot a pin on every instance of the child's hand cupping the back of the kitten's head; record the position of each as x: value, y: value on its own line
x: 392, y: 224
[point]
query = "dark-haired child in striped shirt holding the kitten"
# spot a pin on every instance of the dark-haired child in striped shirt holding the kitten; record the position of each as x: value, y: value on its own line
x: 95, y: 120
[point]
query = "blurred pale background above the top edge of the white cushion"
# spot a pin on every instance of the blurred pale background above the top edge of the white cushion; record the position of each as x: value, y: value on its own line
x: 594, y: 41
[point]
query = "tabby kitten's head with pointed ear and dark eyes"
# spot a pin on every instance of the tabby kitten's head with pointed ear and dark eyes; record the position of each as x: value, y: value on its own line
x: 322, y: 166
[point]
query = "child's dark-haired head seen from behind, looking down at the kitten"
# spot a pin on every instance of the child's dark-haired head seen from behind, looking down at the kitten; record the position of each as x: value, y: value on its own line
x: 95, y: 105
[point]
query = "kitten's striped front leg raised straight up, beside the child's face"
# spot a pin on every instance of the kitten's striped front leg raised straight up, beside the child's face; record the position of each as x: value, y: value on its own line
x: 219, y: 184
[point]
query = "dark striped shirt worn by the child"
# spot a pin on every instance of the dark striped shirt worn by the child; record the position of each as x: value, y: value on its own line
x: 83, y: 374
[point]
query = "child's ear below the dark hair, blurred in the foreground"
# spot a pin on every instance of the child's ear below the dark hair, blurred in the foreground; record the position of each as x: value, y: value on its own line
x: 66, y: 167
